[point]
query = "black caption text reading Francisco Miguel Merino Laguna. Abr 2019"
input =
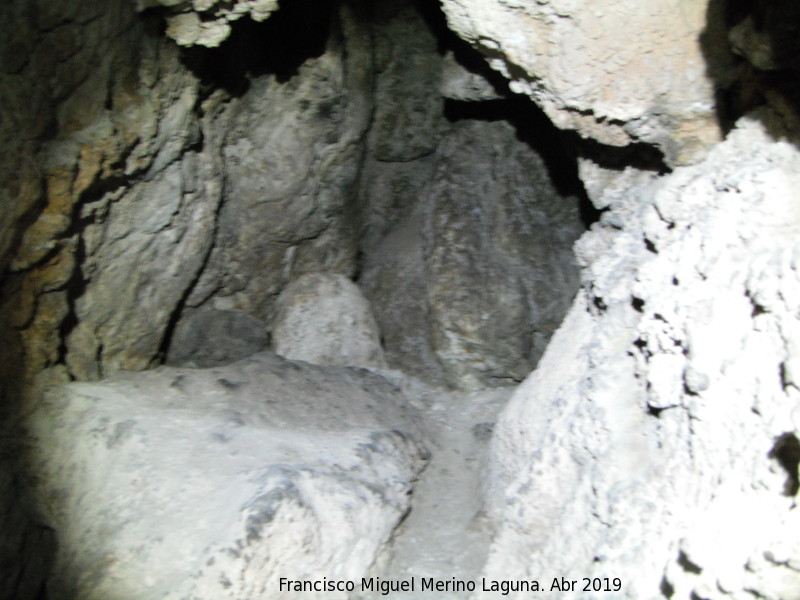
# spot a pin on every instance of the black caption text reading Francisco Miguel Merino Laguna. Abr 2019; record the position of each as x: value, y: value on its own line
x: 425, y: 584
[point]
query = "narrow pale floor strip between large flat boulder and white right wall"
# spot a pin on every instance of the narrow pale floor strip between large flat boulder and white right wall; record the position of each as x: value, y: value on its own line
x: 446, y: 534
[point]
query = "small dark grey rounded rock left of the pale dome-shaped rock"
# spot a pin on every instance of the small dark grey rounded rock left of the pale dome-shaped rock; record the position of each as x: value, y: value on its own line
x: 212, y: 338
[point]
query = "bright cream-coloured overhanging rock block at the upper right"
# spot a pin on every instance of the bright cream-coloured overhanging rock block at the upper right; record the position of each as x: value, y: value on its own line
x: 622, y: 72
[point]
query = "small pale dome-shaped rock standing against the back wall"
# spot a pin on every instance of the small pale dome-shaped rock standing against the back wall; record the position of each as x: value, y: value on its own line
x: 324, y: 319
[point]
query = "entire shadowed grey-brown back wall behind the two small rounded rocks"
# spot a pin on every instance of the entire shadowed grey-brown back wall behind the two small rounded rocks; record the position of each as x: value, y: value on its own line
x: 188, y: 180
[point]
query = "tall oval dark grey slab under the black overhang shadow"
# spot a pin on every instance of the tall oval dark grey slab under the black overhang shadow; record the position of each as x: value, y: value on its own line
x: 498, y: 256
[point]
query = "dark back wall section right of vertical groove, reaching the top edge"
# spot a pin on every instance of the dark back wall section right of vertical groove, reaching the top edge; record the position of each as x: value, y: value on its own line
x: 466, y: 251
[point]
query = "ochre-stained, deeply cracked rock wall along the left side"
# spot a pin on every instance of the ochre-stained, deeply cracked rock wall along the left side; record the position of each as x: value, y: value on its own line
x: 104, y: 122
